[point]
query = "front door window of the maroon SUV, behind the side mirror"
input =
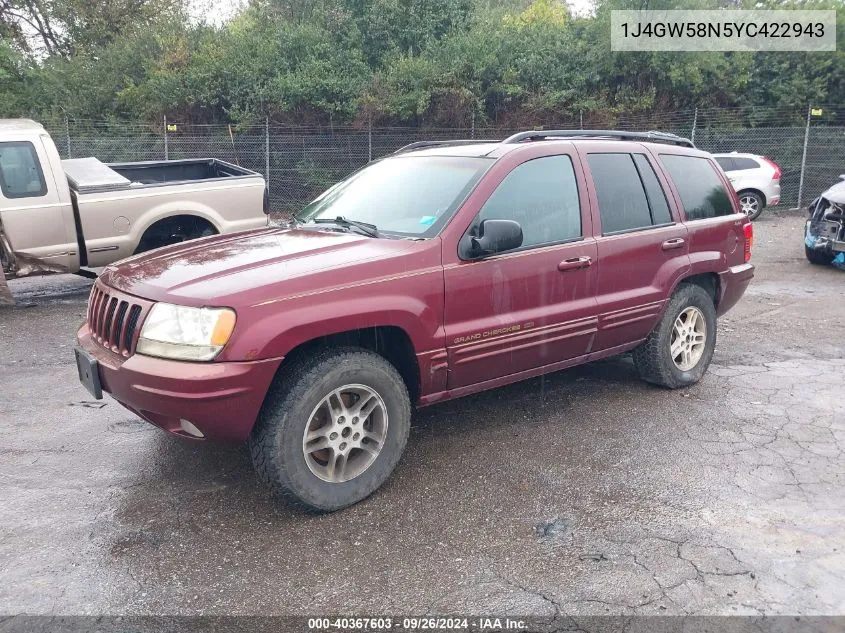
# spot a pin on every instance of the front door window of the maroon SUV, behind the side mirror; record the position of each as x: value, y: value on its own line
x: 542, y: 195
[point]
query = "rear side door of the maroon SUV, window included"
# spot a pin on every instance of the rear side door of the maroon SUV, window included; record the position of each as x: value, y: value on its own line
x: 642, y: 245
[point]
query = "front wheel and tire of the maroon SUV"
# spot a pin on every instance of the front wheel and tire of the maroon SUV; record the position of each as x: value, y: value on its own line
x: 332, y: 428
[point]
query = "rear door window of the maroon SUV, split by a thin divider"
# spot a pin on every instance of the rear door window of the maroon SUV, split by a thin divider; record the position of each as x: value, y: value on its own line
x: 629, y: 194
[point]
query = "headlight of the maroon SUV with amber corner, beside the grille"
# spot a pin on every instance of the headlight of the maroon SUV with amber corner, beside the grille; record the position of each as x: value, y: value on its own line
x: 183, y: 333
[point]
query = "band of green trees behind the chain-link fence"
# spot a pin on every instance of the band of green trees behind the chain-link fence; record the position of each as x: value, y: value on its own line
x: 434, y: 62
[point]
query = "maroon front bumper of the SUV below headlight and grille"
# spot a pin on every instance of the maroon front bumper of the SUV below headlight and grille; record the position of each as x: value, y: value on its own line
x: 221, y: 400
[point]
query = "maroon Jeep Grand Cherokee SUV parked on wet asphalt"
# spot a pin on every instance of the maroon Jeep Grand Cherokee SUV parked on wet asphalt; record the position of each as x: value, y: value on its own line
x: 442, y: 270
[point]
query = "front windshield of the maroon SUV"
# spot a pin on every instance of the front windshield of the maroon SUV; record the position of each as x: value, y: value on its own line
x: 409, y: 195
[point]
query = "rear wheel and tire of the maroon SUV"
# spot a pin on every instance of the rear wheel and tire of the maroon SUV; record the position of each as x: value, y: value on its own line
x: 678, y: 351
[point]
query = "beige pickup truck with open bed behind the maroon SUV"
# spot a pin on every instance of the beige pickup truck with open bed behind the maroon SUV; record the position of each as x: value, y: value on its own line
x: 66, y: 216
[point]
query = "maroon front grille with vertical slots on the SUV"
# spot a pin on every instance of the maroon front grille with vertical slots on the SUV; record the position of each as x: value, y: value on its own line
x: 113, y: 319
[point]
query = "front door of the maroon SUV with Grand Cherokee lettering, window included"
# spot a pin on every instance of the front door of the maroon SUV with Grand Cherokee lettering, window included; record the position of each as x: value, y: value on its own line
x: 532, y: 306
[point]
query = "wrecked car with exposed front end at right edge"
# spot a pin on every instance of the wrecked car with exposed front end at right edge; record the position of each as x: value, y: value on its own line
x: 824, y: 233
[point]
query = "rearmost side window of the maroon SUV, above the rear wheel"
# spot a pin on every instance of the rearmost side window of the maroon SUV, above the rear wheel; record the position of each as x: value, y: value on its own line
x: 702, y: 192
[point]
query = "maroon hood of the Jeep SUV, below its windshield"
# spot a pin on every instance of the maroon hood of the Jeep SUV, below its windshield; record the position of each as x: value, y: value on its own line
x: 230, y: 269
